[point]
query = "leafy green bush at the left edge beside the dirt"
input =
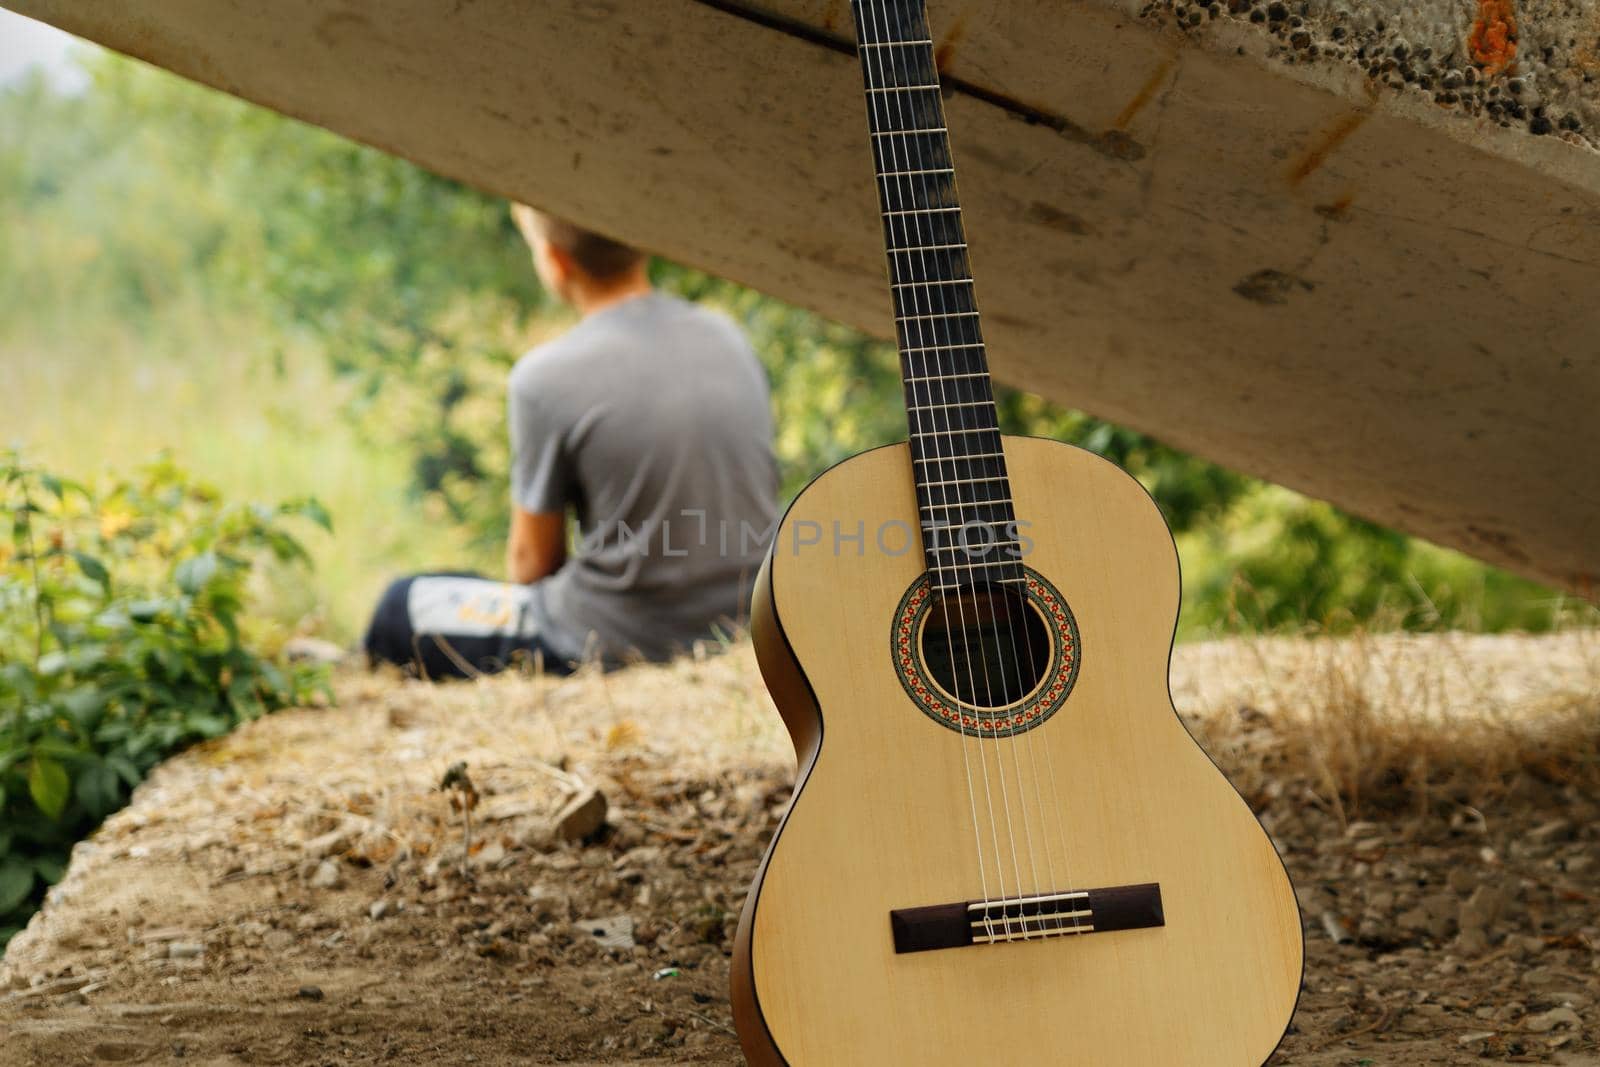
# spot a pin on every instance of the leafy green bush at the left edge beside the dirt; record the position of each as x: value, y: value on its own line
x: 122, y: 639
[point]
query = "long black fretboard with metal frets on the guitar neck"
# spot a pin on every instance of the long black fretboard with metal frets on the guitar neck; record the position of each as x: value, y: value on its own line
x: 964, y: 495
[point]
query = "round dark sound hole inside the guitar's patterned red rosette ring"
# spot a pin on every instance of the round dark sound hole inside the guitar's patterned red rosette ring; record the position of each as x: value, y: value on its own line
x: 986, y: 647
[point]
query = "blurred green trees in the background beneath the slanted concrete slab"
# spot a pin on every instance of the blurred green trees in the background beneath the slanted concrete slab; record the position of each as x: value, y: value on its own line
x: 422, y: 294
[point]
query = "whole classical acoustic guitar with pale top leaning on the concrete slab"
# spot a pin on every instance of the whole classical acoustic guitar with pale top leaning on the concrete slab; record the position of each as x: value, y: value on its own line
x: 1004, y: 845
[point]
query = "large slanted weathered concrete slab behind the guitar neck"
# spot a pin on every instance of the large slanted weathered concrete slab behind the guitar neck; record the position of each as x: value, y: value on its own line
x: 1350, y: 246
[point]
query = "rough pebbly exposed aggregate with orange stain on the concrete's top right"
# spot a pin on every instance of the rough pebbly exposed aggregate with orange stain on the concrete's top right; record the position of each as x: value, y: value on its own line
x: 1519, y: 63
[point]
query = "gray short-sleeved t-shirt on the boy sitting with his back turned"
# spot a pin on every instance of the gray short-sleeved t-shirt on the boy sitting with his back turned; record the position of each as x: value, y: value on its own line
x: 652, y: 420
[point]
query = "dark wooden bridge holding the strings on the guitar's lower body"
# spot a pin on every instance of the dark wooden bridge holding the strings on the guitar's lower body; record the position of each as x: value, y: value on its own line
x: 1038, y: 917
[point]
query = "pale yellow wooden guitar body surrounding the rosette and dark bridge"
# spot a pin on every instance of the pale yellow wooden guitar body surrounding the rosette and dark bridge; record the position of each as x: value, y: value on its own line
x: 882, y: 815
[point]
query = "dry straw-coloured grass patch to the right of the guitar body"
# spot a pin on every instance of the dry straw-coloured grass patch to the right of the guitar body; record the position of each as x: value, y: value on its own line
x: 1386, y: 722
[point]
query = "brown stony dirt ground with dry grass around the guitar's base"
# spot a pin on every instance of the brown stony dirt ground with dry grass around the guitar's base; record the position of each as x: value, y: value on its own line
x: 295, y: 893
